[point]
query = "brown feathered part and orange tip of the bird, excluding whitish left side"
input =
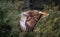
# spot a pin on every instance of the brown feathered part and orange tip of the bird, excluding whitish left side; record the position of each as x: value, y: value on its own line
x: 33, y: 17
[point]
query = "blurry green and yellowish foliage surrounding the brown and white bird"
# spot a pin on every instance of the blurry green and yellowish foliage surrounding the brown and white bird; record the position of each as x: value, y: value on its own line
x: 9, y: 19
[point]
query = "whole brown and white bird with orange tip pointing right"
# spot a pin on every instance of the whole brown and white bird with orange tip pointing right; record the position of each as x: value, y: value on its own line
x: 29, y: 19
